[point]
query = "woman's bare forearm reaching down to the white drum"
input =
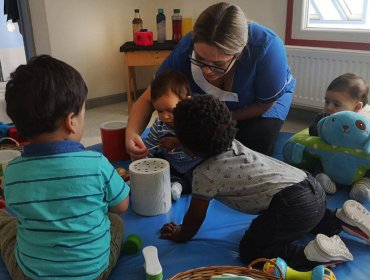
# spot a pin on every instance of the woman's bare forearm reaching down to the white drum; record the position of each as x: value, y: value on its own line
x: 139, y: 117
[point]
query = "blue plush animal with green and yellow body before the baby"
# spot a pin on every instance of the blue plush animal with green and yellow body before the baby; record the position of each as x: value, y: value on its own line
x: 343, y: 147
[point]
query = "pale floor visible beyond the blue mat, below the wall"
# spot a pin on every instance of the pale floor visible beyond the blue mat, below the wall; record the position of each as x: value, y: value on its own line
x: 297, y: 120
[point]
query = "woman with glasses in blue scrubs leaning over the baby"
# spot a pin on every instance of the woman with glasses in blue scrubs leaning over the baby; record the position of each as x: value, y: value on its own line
x: 242, y: 63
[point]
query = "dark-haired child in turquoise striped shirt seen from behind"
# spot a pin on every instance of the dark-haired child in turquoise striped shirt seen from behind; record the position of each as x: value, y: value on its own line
x: 63, y: 196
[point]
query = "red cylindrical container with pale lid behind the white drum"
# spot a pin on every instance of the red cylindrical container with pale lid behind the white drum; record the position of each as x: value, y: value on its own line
x: 113, y: 140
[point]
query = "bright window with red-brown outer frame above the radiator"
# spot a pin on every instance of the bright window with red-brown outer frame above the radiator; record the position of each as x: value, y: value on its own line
x: 341, y: 24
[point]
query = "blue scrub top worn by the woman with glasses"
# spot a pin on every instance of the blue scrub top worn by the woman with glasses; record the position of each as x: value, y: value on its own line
x: 262, y: 73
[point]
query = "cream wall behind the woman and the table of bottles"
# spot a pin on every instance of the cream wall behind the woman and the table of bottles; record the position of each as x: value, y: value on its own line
x: 88, y: 33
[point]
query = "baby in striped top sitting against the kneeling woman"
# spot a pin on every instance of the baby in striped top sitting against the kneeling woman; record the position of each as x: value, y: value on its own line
x: 167, y: 89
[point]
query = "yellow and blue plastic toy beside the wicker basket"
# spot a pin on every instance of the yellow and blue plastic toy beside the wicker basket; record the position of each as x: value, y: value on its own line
x: 318, y: 273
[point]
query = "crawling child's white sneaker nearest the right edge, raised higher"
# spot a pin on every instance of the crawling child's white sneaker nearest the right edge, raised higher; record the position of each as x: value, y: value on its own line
x: 356, y: 218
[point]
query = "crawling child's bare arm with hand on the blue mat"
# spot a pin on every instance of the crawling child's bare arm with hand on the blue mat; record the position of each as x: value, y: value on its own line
x: 193, y: 220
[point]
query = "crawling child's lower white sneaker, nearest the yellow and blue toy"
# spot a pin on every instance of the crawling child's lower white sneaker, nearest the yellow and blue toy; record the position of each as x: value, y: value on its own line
x: 327, y: 250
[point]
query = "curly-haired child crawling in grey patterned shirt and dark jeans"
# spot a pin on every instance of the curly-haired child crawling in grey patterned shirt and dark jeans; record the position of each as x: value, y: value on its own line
x: 288, y: 201
